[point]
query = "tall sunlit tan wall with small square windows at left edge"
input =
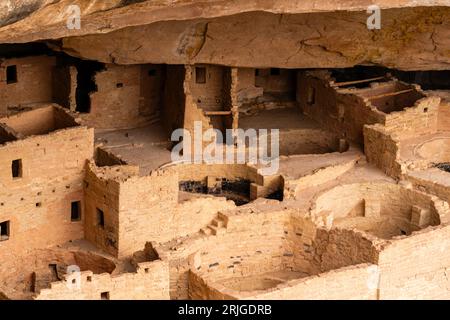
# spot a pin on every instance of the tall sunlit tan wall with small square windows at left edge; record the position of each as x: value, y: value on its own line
x: 38, y: 204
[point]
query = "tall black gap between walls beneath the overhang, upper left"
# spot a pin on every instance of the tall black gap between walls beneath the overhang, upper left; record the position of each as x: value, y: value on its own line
x: 86, y: 83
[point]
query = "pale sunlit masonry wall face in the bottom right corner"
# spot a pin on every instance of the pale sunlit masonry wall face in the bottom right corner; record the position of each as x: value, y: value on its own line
x: 417, y: 267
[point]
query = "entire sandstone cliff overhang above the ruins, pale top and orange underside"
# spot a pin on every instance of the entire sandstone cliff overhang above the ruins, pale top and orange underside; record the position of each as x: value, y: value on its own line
x: 239, y: 33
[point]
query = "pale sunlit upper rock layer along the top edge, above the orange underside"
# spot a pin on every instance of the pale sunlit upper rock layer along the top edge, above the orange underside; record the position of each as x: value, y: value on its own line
x: 31, y: 20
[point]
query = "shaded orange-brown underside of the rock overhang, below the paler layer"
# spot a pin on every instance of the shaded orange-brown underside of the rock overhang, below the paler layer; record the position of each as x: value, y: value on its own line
x: 409, y: 39
